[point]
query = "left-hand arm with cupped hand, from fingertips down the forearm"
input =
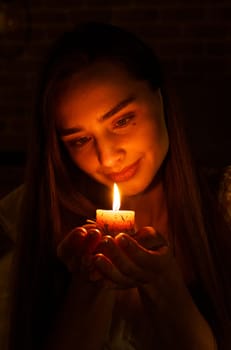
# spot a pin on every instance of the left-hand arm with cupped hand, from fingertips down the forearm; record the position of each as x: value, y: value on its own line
x: 85, y: 316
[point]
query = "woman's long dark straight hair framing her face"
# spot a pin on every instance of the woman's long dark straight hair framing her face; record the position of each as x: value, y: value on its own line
x: 59, y: 196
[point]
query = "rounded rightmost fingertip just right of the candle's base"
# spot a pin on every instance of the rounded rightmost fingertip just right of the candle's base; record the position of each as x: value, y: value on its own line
x: 149, y: 238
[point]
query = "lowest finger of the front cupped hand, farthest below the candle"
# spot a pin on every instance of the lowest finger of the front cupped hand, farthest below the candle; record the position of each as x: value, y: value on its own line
x: 111, y: 273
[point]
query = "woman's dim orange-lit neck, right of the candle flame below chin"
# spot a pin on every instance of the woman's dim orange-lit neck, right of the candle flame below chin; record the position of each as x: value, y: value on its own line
x: 150, y: 208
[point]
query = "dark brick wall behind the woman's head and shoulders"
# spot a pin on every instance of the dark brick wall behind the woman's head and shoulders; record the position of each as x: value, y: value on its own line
x: 191, y: 37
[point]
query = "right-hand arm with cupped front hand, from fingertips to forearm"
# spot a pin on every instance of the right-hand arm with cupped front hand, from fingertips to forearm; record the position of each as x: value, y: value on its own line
x: 146, y: 261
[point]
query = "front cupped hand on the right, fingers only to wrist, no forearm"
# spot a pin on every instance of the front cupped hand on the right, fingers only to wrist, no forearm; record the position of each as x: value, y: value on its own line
x: 130, y: 261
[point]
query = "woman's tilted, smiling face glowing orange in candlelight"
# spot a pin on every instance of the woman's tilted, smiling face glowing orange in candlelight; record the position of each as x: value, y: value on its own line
x: 113, y: 127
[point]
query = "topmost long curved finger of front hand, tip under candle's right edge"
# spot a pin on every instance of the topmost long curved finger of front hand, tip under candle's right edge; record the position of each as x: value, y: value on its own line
x: 142, y: 257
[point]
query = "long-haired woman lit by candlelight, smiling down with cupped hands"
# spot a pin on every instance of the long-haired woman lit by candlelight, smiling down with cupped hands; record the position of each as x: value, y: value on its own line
x: 104, y: 116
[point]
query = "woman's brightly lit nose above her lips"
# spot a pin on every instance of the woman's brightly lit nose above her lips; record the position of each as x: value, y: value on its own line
x: 109, y: 153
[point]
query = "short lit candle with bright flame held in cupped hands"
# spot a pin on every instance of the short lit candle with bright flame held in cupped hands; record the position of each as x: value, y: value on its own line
x: 115, y: 221
